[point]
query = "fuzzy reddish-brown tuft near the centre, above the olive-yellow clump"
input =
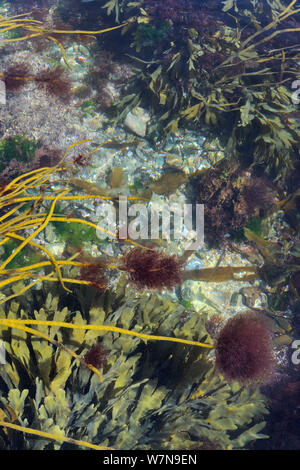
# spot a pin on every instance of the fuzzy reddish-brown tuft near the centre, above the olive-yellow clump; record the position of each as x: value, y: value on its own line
x: 152, y: 269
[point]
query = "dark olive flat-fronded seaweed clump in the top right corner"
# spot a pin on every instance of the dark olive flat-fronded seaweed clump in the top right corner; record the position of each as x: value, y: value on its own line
x: 208, y: 71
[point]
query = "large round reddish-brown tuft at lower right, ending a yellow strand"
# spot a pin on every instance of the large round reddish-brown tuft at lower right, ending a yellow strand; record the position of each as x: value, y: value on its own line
x: 244, y: 349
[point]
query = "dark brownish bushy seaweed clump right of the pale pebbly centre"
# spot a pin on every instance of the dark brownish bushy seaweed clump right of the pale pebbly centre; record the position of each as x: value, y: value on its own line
x: 232, y: 197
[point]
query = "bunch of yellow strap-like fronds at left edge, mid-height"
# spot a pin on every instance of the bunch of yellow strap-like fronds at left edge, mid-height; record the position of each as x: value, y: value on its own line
x: 24, y: 226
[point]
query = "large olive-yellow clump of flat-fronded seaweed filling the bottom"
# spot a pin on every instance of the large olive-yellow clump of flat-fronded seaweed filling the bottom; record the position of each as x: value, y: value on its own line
x: 137, y: 405
